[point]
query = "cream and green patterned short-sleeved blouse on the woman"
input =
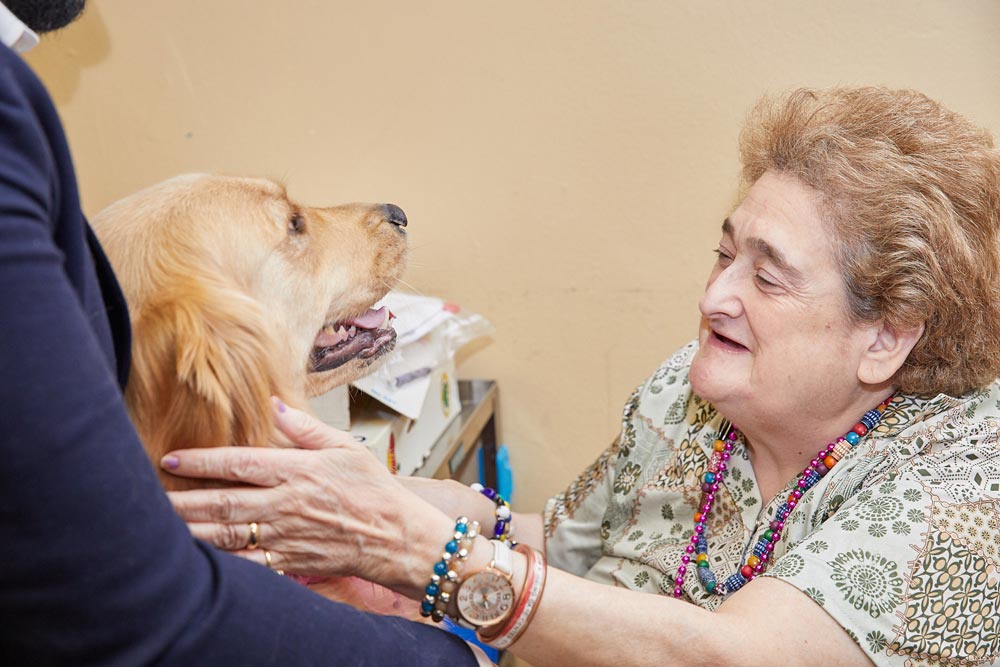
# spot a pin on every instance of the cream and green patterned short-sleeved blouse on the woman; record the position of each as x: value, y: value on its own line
x: 900, y: 542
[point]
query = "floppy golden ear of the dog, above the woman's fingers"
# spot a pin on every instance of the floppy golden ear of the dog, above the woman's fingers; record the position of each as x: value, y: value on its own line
x: 205, y: 364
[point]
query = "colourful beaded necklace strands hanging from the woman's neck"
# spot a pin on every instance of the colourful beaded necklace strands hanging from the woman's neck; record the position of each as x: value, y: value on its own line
x: 712, y: 479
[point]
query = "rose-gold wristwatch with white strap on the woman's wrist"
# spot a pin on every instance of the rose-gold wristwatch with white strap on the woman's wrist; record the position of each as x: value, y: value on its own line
x: 486, y: 597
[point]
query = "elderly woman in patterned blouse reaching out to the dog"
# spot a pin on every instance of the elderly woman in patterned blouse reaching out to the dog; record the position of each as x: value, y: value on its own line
x: 813, y: 481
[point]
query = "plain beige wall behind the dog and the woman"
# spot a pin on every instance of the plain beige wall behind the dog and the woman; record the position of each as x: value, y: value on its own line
x: 565, y: 165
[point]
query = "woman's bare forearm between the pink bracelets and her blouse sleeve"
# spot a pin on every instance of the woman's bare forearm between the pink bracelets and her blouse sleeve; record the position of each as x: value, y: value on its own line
x: 769, y: 622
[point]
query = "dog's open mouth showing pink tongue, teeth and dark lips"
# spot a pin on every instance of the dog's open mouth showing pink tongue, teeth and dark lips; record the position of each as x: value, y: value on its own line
x: 365, y: 337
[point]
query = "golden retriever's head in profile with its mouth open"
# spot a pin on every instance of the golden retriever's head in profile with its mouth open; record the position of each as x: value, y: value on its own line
x: 237, y: 293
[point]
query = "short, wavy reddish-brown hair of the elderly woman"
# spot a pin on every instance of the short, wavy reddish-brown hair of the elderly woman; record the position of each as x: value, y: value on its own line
x: 912, y: 192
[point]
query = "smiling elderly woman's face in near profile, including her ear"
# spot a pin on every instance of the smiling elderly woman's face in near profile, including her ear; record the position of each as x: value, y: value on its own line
x: 775, y: 338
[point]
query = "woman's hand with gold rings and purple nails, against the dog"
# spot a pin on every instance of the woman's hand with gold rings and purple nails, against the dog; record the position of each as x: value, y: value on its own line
x: 329, y: 508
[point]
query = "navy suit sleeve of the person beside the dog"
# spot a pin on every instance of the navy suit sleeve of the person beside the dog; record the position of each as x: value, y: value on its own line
x: 95, y: 567
